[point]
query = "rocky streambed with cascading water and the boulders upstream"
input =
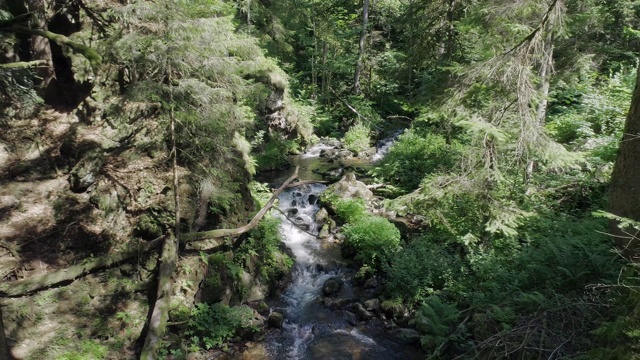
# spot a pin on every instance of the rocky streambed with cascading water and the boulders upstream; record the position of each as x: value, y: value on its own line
x: 325, y: 313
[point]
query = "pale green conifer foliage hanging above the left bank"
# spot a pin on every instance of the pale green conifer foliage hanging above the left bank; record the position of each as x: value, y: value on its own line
x: 188, y: 57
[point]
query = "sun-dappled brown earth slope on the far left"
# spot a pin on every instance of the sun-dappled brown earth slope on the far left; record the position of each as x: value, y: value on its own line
x: 46, y: 227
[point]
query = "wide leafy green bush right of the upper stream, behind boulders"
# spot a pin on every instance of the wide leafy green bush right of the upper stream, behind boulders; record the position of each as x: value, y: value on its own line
x: 414, y: 156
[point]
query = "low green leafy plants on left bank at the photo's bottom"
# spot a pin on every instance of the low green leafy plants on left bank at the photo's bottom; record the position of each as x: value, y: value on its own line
x: 210, y: 326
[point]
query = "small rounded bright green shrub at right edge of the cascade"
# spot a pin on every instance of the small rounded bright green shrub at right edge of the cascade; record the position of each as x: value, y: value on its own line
x: 372, y: 240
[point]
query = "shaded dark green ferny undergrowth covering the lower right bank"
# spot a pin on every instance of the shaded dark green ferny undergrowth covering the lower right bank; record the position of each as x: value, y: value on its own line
x: 542, y: 299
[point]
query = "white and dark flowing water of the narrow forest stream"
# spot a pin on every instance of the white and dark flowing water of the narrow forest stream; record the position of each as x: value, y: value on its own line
x: 311, y: 330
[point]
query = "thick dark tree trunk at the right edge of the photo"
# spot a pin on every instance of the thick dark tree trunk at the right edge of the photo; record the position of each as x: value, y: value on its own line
x: 625, y: 180
